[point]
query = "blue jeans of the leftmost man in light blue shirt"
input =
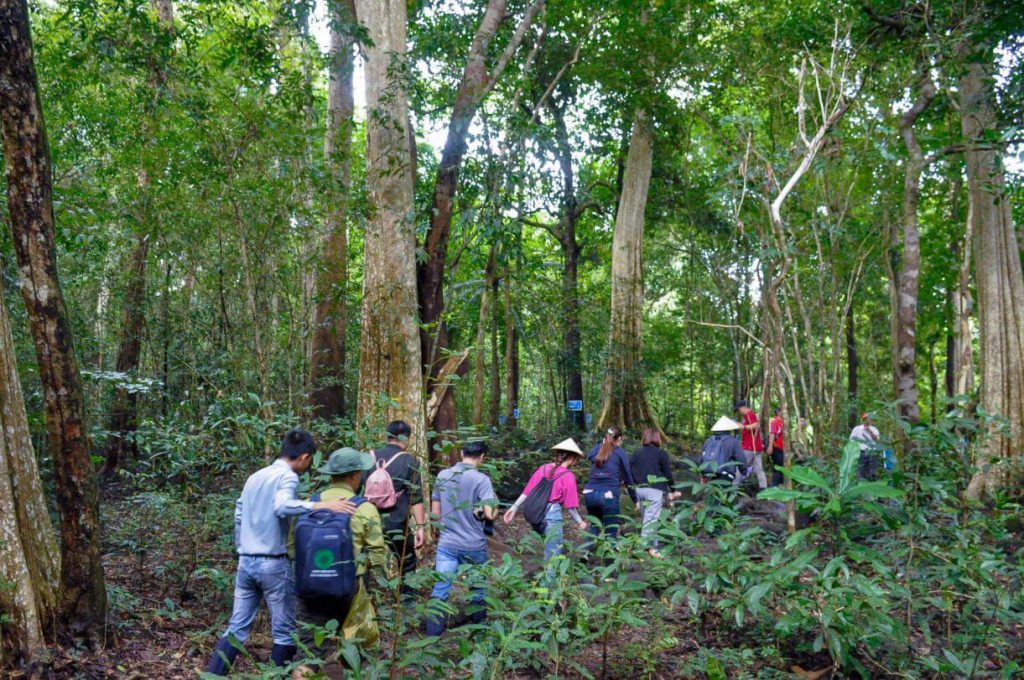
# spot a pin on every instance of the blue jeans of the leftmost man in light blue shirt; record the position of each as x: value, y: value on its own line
x: 270, y: 580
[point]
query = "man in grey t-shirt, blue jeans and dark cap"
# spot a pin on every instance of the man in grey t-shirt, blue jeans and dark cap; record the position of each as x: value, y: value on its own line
x: 462, y: 499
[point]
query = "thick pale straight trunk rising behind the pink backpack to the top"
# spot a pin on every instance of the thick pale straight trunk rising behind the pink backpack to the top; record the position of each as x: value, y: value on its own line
x: 391, y: 361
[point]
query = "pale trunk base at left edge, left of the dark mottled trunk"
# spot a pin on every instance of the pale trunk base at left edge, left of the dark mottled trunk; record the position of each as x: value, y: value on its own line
x: 29, y: 558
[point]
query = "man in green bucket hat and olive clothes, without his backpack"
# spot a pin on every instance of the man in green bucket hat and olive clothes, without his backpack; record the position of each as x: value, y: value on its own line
x: 356, y: 616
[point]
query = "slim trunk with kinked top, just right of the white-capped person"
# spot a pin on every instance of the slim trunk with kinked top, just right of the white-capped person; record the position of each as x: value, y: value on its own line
x: 906, y: 372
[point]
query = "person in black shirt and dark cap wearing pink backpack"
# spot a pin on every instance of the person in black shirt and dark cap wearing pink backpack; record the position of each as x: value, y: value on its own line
x: 405, y: 472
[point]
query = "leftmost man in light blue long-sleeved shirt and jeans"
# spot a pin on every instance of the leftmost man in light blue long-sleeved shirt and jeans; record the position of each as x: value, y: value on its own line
x: 263, y: 516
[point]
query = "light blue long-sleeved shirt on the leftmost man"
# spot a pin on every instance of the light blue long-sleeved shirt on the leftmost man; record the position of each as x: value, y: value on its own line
x: 263, y: 513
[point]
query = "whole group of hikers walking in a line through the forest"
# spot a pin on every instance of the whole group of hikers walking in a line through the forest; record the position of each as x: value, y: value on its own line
x: 310, y: 560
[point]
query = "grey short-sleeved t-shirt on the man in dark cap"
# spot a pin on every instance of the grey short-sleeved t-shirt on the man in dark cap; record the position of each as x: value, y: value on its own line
x: 459, y: 490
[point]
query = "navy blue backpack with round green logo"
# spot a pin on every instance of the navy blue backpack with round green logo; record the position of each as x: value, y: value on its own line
x: 325, y: 556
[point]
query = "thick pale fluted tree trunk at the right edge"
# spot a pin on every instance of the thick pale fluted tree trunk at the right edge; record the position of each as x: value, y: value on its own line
x: 1000, y: 281
